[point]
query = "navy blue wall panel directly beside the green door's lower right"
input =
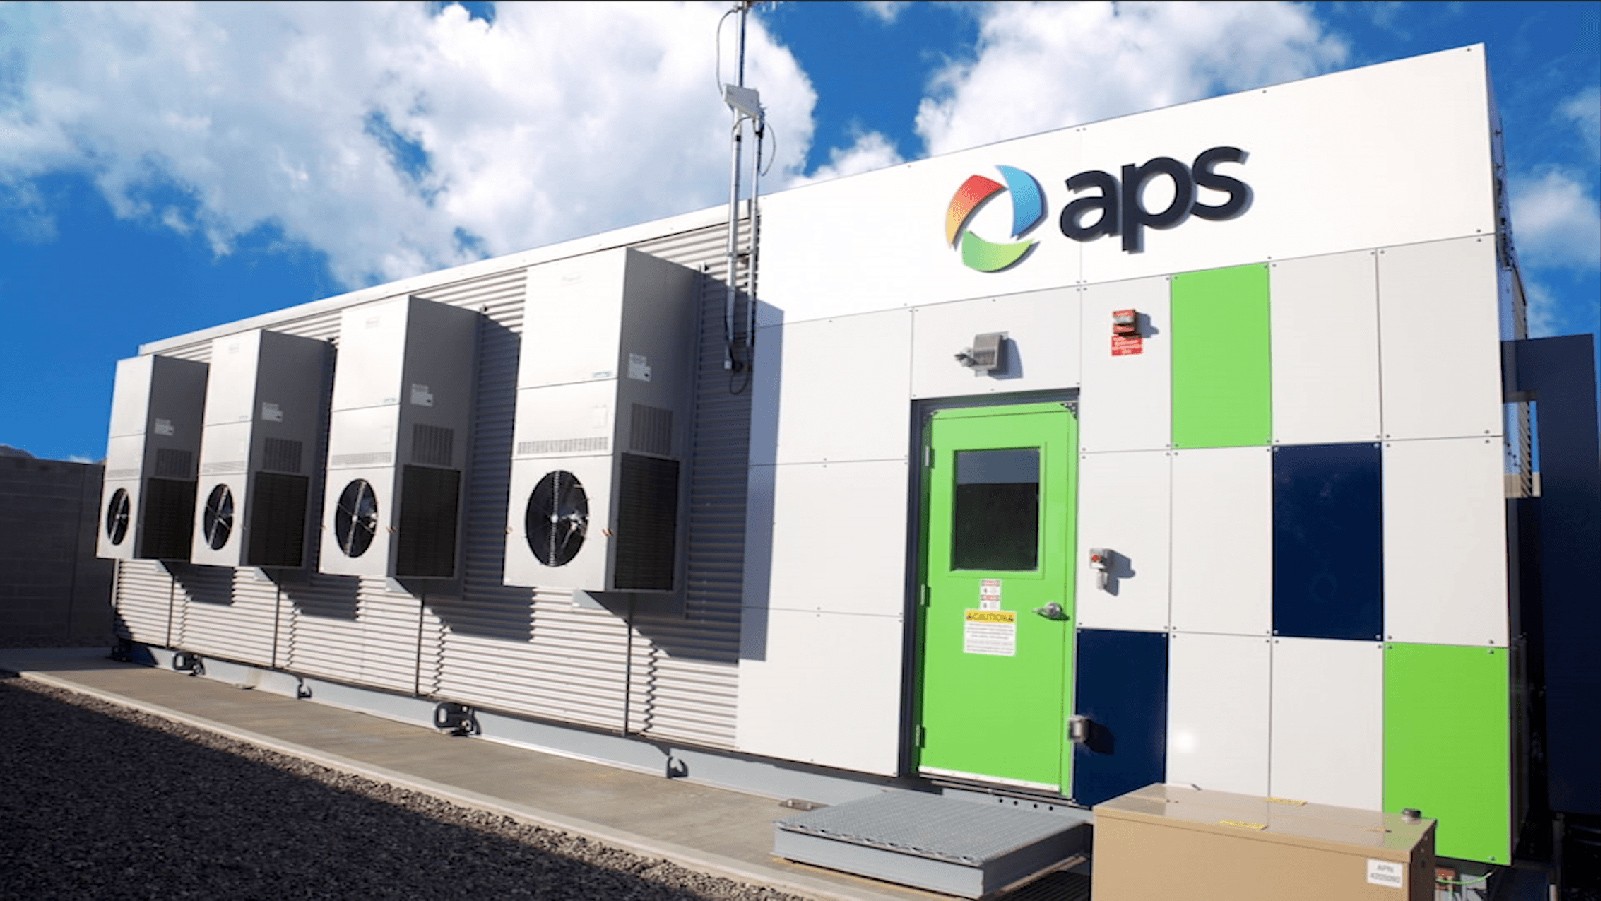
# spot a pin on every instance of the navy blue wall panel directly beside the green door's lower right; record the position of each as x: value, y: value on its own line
x: 1123, y: 691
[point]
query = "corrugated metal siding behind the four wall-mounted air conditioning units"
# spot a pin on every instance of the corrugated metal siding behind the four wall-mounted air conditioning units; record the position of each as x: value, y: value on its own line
x: 508, y: 649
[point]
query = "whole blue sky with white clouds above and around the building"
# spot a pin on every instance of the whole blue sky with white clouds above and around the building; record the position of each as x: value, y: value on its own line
x: 172, y: 167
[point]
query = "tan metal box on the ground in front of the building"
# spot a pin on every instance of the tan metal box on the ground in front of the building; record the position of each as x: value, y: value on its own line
x: 1208, y: 846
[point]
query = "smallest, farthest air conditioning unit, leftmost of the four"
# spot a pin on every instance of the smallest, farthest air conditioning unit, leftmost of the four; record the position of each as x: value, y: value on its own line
x: 150, y: 499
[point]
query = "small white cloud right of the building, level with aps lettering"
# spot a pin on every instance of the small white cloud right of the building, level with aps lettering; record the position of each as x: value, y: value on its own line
x: 1557, y: 222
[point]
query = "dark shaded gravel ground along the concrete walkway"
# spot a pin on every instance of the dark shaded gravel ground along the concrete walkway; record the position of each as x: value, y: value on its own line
x: 98, y: 801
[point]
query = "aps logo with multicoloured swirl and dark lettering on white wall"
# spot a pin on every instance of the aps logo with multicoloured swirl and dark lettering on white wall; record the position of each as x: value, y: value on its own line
x: 1105, y: 206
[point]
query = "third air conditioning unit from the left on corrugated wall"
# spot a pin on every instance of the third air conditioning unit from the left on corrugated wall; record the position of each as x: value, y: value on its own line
x: 398, y: 439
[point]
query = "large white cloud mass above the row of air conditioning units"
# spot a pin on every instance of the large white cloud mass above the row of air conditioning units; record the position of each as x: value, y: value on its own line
x: 385, y: 134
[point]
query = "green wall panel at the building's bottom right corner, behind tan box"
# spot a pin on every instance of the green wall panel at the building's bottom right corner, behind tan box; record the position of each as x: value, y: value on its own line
x: 1448, y: 745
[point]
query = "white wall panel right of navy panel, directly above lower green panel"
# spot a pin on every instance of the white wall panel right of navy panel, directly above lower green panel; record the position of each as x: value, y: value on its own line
x: 1445, y: 543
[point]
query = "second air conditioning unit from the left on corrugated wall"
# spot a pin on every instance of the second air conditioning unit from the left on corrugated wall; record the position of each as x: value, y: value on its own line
x: 259, y: 450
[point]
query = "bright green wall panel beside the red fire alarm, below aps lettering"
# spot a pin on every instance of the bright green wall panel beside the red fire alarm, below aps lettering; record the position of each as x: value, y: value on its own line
x: 1222, y: 366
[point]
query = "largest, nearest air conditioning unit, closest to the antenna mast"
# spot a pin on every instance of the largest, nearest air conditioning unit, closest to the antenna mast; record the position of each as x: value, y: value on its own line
x: 601, y: 441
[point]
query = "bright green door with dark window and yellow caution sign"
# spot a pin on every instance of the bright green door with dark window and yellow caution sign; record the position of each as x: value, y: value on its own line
x: 997, y: 614
